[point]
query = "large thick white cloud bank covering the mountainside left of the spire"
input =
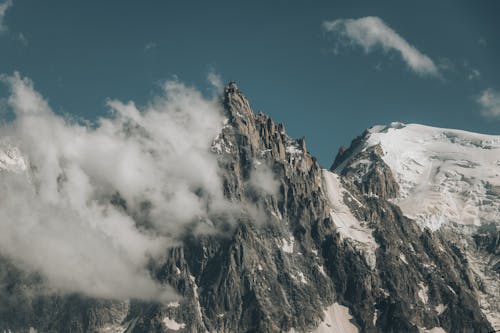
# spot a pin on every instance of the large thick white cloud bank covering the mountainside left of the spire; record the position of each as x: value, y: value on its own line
x: 89, y: 206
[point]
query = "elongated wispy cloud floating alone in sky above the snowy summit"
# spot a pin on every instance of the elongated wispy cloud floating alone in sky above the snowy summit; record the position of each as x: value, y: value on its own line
x: 370, y: 32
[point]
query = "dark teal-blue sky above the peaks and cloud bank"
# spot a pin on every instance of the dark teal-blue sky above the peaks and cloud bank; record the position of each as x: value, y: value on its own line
x: 326, y: 69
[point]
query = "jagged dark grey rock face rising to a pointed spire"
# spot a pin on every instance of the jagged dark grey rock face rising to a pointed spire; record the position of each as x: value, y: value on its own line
x: 311, y: 250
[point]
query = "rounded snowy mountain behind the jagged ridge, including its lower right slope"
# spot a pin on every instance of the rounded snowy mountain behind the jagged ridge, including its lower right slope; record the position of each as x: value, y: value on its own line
x: 448, y: 181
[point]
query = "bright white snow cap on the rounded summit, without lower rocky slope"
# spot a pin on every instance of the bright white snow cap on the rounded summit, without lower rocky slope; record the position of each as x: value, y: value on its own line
x: 445, y: 176
